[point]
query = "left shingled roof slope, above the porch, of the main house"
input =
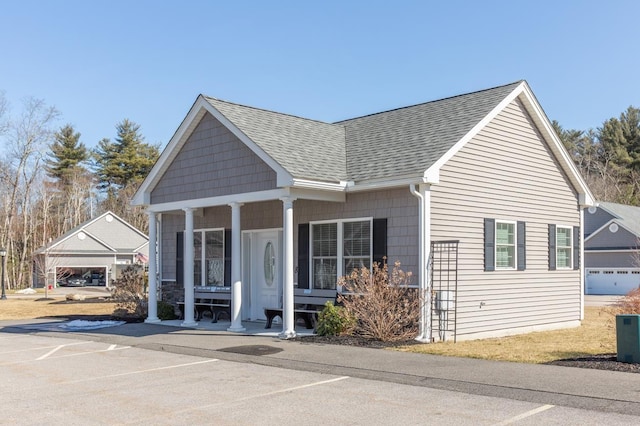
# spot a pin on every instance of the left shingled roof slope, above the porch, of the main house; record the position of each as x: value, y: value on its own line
x: 307, y: 149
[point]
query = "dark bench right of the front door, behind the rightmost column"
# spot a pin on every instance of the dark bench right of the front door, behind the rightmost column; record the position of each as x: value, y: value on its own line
x: 307, y: 304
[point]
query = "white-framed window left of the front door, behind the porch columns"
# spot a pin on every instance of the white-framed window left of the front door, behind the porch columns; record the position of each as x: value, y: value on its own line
x: 208, y: 255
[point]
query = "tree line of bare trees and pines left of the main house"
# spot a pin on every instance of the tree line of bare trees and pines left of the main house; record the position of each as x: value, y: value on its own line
x: 50, y: 182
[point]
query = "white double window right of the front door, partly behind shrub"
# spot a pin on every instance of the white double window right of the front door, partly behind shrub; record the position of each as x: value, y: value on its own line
x: 338, y: 248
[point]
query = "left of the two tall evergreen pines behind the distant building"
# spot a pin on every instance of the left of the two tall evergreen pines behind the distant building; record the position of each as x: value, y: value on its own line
x: 67, y: 156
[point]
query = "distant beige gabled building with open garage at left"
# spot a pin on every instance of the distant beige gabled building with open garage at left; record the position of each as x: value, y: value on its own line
x: 90, y: 254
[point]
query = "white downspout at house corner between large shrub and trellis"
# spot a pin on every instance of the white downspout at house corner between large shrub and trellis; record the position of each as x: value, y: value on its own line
x: 423, y: 278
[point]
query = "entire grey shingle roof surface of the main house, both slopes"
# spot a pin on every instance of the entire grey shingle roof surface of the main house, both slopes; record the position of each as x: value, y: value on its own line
x: 400, y: 142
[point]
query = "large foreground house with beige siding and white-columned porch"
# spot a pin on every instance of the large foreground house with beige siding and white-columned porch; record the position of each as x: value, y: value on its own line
x: 265, y: 202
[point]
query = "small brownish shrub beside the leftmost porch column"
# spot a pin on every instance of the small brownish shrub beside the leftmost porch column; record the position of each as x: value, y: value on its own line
x: 129, y: 294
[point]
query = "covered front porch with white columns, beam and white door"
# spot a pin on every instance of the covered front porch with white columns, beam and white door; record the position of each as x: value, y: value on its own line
x: 260, y: 269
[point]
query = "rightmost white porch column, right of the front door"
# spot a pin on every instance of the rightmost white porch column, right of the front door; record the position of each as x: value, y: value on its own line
x: 288, y: 322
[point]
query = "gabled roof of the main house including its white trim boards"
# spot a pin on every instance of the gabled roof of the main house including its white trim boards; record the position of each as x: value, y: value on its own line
x: 407, y: 144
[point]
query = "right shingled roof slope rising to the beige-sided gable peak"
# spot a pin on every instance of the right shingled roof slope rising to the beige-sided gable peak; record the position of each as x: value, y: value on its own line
x: 407, y: 141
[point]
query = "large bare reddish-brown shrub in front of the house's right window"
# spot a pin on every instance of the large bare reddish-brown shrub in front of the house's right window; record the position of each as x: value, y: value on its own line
x: 384, y: 306
